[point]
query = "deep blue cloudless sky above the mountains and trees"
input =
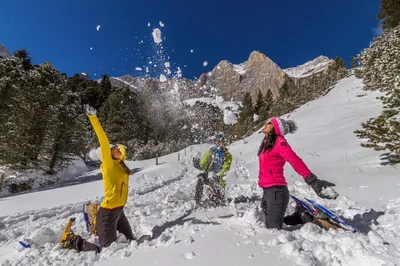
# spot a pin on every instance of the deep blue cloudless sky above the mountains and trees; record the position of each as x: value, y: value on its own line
x: 290, y: 32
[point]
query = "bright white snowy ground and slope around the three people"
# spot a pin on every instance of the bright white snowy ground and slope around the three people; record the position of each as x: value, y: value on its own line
x: 159, y: 202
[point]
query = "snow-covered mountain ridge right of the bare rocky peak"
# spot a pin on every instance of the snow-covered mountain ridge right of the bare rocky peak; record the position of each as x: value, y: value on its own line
x: 307, y: 69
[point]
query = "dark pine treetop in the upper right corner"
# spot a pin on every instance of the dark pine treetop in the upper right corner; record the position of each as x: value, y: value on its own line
x: 389, y: 14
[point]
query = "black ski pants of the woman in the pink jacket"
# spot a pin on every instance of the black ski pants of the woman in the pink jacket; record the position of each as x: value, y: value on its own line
x: 274, y: 203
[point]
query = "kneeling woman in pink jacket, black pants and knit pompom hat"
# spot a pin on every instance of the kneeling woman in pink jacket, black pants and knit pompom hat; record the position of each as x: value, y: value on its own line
x: 273, y: 153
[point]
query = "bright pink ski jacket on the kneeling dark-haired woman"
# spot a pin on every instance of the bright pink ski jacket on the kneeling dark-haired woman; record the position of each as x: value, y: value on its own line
x: 271, y: 164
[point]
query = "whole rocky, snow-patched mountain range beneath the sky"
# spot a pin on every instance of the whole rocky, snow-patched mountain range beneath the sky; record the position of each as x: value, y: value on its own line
x: 232, y: 81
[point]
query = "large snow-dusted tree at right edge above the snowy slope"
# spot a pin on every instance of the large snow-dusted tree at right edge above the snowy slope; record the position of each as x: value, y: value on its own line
x: 381, y: 70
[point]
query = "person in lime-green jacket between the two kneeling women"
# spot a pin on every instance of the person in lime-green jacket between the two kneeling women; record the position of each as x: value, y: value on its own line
x: 216, y: 160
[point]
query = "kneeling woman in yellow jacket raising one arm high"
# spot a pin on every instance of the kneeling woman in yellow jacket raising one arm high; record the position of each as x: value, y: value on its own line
x: 110, y: 216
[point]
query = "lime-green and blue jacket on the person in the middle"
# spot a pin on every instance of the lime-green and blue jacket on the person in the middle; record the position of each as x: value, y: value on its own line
x: 213, y: 161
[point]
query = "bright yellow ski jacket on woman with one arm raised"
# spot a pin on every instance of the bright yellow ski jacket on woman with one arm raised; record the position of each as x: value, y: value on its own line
x: 115, y: 178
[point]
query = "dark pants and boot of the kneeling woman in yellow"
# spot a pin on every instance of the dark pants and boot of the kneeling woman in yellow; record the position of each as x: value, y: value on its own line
x: 108, y: 222
